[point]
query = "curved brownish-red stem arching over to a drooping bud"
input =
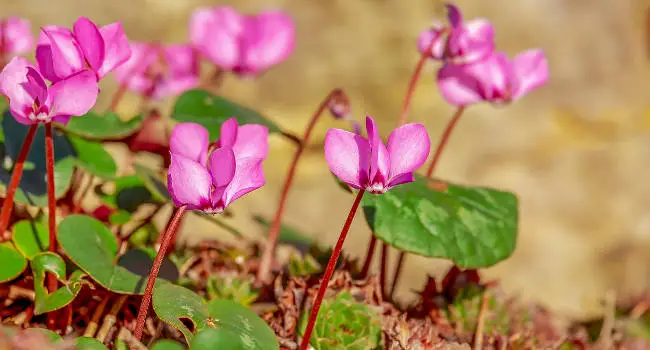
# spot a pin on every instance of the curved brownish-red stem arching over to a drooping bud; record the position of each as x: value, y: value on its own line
x: 264, y: 271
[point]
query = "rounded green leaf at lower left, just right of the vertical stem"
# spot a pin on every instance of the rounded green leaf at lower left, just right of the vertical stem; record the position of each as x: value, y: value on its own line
x: 92, y: 247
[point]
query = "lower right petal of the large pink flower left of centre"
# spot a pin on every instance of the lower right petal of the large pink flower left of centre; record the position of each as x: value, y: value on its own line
x: 249, y: 176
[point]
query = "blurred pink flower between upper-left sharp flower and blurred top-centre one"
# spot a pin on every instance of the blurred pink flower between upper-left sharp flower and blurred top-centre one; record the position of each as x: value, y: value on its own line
x: 158, y: 72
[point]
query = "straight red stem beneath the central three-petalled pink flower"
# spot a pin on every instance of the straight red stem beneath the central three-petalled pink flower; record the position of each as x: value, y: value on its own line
x: 329, y: 271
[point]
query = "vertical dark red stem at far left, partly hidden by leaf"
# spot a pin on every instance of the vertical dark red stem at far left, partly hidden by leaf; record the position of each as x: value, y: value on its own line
x: 52, y: 283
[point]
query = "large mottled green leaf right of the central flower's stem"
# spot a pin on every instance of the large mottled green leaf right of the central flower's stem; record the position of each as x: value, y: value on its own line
x: 472, y: 226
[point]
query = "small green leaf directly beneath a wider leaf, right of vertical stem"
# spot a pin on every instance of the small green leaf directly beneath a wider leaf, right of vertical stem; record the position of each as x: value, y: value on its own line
x: 93, y: 158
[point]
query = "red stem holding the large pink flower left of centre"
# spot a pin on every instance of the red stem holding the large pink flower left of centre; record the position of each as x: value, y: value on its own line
x: 146, y: 299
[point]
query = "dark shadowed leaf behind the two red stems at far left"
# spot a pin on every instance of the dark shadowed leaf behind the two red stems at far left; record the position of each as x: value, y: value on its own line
x: 33, y: 186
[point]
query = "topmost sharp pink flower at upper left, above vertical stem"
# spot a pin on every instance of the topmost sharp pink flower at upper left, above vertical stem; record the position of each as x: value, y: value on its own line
x: 62, y: 52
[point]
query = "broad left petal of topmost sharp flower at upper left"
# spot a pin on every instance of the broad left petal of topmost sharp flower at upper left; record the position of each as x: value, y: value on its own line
x: 67, y: 57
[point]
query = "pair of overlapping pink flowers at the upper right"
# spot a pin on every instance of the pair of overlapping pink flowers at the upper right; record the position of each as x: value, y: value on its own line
x: 472, y: 70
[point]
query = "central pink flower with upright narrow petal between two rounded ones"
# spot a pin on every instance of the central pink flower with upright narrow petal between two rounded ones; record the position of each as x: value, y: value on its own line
x: 369, y: 164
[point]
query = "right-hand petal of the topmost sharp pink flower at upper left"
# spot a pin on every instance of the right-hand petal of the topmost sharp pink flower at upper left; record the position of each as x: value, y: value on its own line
x: 116, y: 48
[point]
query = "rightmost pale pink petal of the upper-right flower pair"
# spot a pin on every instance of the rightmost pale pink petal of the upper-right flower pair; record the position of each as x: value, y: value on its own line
x: 531, y: 71
